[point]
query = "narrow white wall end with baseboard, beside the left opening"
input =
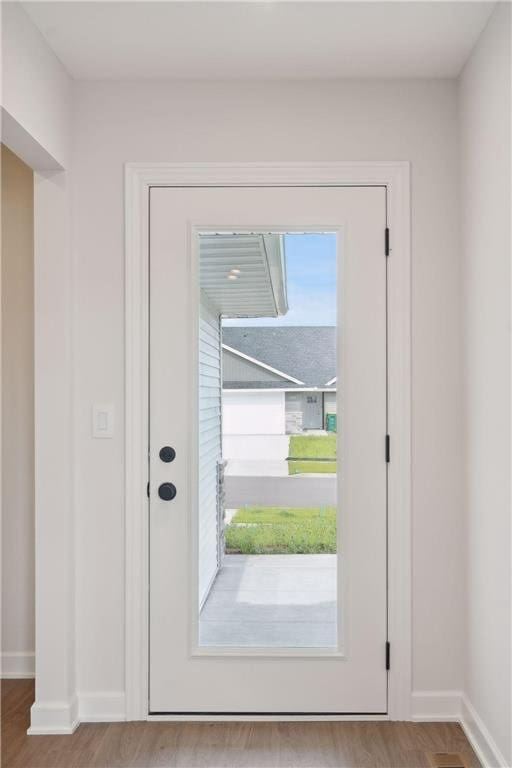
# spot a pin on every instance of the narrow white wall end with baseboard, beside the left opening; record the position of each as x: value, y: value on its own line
x: 54, y: 459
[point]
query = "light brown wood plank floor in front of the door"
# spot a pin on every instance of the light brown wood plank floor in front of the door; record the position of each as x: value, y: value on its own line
x: 222, y: 745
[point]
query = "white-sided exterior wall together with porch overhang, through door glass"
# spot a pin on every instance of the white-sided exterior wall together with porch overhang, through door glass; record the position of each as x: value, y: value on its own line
x: 240, y: 276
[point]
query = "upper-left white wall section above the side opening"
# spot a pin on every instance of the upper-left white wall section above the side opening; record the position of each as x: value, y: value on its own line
x: 36, y: 94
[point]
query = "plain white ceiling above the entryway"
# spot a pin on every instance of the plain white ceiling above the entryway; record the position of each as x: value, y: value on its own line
x: 260, y: 40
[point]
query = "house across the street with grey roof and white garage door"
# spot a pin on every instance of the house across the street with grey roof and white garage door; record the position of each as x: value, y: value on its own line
x: 276, y: 381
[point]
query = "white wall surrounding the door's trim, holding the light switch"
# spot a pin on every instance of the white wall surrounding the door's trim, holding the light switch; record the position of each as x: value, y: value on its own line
x: 409, y: 120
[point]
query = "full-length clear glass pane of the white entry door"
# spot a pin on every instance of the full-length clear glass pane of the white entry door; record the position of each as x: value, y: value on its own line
x: 268, y: 420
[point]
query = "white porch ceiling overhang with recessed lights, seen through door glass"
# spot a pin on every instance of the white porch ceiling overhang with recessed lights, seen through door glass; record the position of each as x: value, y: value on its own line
x: 244, y: 275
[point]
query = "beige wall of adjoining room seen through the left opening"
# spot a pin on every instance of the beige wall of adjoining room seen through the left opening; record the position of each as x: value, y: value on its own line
x: 17, y: 415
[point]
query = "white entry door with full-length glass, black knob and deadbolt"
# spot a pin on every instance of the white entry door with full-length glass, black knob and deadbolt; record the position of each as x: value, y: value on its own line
x: 223, y: 252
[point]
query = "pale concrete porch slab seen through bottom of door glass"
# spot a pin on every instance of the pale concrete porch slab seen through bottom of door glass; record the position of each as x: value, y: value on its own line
x: 270, y: 601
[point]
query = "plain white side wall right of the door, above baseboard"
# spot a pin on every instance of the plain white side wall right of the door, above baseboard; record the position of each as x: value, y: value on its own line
x: 484, y: 104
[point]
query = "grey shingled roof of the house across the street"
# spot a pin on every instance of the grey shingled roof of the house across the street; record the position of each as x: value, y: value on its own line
x: 307, y: 353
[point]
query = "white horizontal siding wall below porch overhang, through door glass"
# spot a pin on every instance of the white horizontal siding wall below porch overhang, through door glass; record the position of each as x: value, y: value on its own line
x: 210, y: 451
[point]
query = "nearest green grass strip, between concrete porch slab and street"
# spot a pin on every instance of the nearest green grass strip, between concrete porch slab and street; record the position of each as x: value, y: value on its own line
x: 282, y: 530
